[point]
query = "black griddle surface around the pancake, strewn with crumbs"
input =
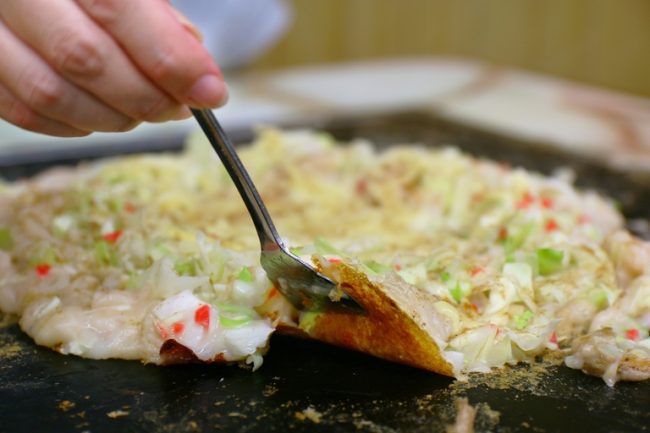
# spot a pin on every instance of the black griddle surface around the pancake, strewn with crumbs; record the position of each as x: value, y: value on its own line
x: 343, y: 391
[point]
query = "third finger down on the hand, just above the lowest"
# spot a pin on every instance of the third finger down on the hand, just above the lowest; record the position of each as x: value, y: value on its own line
x: 43, y: 91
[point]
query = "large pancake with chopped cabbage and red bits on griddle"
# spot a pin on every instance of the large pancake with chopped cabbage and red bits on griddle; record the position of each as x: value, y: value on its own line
x: 463, y: 265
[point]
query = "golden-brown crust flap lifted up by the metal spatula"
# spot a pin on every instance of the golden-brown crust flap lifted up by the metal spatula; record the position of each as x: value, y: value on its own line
x: 395, y: 327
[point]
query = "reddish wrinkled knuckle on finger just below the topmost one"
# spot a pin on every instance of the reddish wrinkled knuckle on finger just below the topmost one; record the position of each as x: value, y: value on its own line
x: 78, y: 55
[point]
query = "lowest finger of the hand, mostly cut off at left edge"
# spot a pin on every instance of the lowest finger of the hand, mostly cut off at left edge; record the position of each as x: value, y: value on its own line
x: 17, y: 113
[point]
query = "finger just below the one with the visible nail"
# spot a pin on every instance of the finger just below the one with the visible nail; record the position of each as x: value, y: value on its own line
x: 84, y: 54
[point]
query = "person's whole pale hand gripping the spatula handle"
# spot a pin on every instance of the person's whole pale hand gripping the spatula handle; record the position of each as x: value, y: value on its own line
x: 72, y: 67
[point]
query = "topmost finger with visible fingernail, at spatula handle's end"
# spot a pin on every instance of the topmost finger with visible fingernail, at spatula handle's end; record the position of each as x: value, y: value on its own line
x: 162, y: 47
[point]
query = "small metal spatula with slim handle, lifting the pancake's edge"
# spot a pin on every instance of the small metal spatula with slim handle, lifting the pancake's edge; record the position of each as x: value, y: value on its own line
x: 297, y: 280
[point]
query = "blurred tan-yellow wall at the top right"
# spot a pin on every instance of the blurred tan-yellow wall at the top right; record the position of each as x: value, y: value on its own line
x: 601, y: 42
